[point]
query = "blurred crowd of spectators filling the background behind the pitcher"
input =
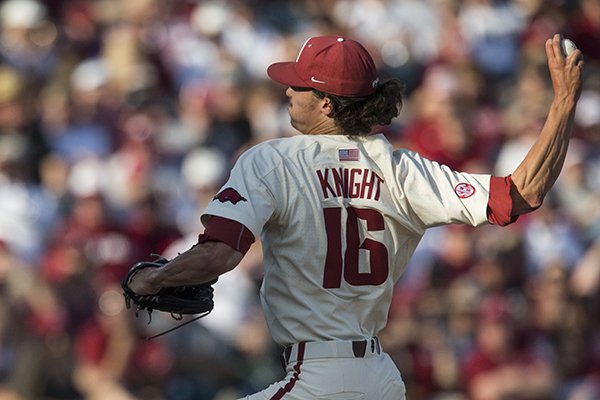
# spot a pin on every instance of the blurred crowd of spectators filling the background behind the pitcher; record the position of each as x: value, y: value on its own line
x: 119, y: 121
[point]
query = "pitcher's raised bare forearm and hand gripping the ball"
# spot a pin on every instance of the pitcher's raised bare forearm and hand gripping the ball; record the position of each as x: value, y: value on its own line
x: 534, y: 177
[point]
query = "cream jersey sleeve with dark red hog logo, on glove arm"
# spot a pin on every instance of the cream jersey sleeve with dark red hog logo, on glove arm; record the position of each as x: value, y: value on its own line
x: 245, y: 197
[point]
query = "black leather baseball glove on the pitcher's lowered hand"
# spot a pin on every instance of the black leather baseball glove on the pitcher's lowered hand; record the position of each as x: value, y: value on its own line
x: 179, y: 300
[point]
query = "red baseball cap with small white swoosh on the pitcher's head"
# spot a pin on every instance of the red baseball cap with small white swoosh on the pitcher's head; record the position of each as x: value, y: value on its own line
x: 330, y: 64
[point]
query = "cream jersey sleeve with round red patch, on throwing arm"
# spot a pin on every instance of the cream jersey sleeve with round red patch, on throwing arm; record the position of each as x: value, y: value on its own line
x: 433, y: 194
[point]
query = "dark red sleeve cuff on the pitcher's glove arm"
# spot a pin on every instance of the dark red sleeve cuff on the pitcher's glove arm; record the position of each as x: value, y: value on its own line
x: 228, y: 231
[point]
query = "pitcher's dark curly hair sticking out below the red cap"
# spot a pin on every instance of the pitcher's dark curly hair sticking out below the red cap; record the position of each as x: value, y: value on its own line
x: 357, y: 116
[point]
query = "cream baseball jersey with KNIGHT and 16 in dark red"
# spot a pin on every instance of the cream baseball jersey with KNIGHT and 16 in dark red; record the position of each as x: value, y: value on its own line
x: 339, y: 218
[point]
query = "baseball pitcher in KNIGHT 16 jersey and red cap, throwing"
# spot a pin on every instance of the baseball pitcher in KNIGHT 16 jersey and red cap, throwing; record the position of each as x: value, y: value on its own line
x: 340, y: 212
